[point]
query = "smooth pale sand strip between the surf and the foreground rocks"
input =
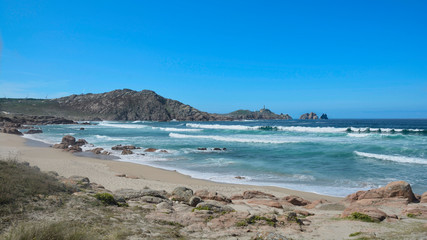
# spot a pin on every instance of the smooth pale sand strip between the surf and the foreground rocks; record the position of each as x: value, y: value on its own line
x: 104, y: 171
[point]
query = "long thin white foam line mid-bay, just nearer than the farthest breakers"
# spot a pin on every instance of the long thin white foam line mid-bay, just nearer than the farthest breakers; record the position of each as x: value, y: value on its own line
x: 243, y: 139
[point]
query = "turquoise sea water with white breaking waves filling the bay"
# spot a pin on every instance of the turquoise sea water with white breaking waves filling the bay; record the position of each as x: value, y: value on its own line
x: 331, y: 157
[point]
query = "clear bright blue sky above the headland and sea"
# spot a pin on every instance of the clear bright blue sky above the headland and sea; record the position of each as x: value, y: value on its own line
x: 350, y: 59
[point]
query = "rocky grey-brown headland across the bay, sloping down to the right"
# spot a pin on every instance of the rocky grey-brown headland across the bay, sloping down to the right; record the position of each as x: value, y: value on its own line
x: 126, y: 105
